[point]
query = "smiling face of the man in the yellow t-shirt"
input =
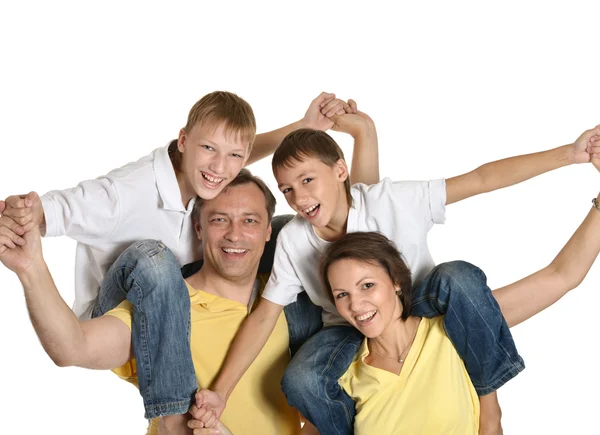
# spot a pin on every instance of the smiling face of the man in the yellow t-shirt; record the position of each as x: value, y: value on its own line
x: 234, y: 229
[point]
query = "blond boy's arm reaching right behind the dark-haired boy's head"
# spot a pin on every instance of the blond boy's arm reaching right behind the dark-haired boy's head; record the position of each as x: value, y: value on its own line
x: 316, y: 117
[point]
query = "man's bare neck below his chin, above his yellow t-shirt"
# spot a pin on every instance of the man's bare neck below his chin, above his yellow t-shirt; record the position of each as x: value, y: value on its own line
x: 209, y: 280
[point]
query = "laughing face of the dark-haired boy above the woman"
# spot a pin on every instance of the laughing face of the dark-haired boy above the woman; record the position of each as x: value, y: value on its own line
x: 314, y: 190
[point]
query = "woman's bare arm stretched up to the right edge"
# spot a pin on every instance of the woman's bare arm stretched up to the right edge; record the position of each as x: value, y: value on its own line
x: 525, y: 298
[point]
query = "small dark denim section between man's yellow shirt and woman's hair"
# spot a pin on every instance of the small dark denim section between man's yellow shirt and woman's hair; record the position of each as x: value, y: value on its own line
x: 304, y: 320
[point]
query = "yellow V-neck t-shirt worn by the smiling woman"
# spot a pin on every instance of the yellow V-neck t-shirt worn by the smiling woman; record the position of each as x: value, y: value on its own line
x: 432, y: 395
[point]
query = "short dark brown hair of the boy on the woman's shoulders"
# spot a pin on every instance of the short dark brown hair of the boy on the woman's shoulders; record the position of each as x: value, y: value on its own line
x: 306, y: 143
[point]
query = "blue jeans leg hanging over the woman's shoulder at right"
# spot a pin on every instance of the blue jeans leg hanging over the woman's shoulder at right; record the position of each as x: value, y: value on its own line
x: 473, y: 321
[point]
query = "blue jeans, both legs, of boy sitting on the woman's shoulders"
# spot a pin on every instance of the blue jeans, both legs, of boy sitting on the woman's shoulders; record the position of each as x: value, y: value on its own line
x: 473, y: 321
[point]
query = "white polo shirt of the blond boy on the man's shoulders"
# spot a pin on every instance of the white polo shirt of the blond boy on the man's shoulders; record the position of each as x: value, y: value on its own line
x: 139, y: 201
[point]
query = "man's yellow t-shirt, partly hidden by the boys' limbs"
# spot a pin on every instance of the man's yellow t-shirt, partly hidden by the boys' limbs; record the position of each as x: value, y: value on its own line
x: 257, y: 406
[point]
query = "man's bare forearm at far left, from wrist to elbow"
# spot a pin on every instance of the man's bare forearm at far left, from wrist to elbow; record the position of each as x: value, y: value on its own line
x: 56, y: 325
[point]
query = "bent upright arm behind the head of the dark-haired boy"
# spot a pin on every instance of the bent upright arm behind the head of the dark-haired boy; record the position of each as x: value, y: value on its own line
x: 365, y: 156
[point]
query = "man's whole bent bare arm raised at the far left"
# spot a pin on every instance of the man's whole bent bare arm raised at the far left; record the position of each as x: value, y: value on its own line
x: 102, y: 343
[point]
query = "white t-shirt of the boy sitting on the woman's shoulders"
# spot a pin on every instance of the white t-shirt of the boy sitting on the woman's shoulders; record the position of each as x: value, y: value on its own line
x: 404, y: 211
